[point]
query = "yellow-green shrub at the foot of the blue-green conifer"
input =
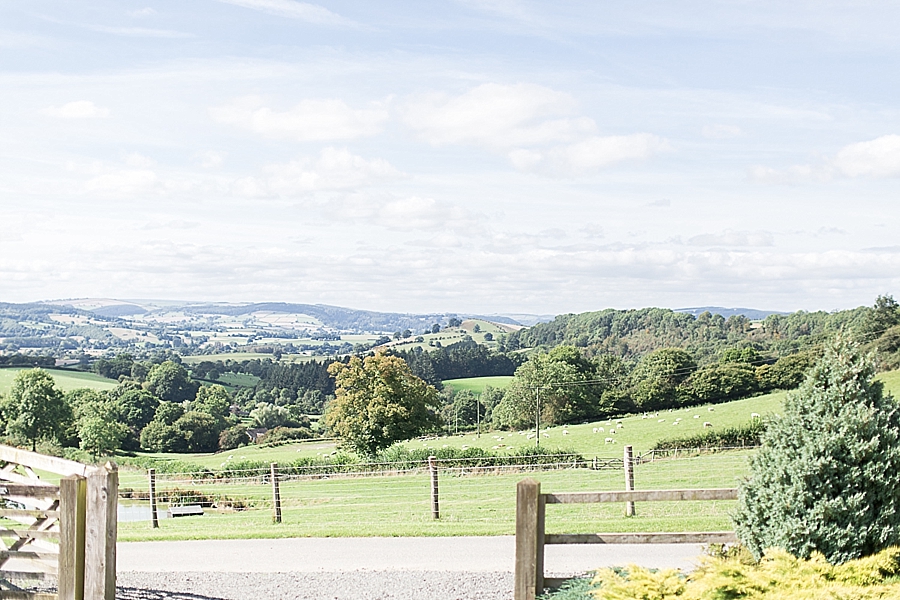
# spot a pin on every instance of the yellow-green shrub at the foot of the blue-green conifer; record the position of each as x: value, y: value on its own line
x: 778, y: 576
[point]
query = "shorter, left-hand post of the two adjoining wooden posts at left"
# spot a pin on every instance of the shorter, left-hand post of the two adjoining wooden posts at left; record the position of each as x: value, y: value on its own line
x: 72, y: 500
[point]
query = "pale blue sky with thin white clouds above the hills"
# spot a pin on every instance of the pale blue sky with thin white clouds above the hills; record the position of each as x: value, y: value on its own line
x: 481, y: 156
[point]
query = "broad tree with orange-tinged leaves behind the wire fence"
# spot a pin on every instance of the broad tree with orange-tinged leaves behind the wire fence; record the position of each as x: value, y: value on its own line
x: 378, y: 401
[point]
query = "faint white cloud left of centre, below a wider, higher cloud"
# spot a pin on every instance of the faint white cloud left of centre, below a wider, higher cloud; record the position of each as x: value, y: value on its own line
x: 333, y: 169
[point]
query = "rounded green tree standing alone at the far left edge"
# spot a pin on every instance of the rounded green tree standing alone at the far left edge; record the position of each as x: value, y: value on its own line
x: 35, y: 409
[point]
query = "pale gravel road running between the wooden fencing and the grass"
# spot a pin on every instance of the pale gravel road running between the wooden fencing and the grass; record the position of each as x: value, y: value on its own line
x: 455, y: 568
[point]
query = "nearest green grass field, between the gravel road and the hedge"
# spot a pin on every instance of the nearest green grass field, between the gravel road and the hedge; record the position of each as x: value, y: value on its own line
x: 470, y: 504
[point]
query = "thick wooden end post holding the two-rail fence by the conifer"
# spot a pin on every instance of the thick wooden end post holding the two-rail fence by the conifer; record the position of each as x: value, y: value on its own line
x: 529, y: 576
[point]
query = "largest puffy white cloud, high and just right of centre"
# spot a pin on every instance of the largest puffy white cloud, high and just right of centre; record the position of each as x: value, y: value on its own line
x: 497, y: 116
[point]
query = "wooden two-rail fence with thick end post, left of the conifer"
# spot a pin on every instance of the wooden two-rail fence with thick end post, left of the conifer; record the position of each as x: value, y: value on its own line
x: 531, y: 539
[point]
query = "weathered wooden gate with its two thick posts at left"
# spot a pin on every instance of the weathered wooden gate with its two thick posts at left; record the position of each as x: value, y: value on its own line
x: 64, y: 532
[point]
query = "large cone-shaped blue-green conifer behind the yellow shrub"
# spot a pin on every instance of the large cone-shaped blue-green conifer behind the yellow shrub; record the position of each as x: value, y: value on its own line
x: 827, y: 474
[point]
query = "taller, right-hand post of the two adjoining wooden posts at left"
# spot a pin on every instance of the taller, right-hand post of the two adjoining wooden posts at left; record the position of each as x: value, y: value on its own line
x: 100, y: 533
